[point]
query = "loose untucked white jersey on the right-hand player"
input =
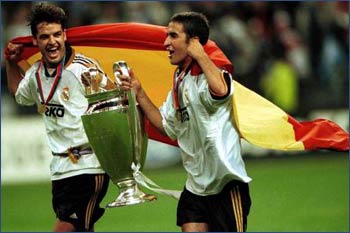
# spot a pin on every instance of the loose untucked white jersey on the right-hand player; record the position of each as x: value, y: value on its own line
x: 209, y: 143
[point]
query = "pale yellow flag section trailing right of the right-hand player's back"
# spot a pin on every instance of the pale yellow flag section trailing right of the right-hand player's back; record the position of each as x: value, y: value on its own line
x: 256, y: 115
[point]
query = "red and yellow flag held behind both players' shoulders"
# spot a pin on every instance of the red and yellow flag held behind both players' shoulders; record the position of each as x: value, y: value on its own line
x: 258, y: 121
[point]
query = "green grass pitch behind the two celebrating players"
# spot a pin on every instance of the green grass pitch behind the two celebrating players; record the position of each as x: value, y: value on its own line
x: 300, y: 193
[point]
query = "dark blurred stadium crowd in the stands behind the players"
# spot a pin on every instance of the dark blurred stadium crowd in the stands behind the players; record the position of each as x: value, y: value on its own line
x: 293, y: 53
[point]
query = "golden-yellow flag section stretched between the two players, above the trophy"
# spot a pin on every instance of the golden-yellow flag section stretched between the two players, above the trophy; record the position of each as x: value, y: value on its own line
x: 150, y: 66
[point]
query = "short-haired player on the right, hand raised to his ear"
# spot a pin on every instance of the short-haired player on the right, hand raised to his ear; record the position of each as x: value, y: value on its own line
x: 198, y: 114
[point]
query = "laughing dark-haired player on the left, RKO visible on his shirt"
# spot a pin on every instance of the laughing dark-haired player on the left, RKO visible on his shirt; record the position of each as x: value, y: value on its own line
x: 54, y: 84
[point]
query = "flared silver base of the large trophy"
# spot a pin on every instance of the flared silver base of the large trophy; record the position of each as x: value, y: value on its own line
x: 130, y: 194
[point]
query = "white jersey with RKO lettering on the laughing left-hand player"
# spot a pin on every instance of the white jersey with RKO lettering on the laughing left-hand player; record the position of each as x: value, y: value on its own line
x: 62, y: 116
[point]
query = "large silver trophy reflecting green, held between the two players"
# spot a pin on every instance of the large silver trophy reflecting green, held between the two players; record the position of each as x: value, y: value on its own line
x: 114, y: 126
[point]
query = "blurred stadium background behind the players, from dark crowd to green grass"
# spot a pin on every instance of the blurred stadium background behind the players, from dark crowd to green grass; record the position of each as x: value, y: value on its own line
x: 295, y: 54
